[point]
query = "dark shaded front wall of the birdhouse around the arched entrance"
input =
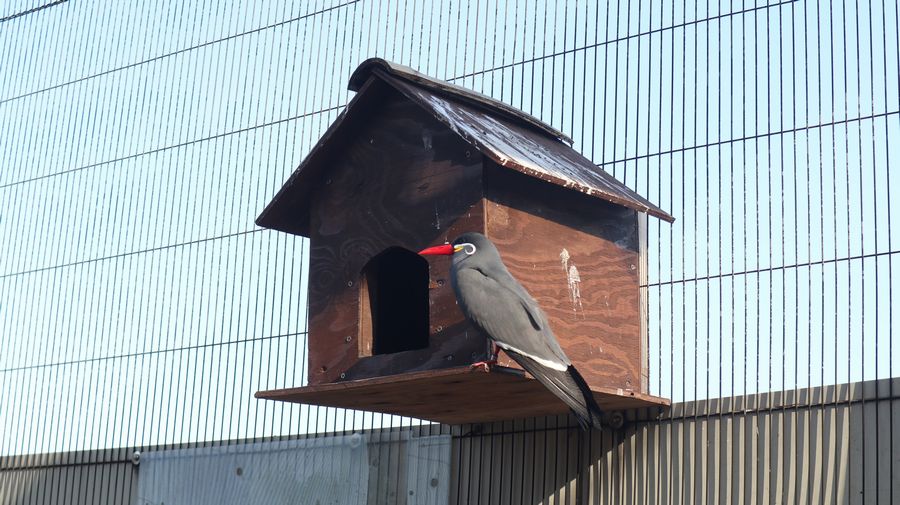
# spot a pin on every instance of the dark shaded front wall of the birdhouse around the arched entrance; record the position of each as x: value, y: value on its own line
x: 403, y: 181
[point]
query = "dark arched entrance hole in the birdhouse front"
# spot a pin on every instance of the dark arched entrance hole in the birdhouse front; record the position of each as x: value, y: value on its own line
x: 393, y: 303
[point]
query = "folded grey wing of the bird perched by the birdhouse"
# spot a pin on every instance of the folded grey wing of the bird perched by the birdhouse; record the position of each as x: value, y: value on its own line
x: 509, y: 316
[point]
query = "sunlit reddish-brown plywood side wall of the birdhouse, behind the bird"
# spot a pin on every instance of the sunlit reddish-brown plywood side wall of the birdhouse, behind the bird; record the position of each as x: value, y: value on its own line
x: 580, y: 259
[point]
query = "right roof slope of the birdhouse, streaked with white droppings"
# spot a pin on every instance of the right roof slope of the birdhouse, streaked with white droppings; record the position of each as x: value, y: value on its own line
x: 511, y: 145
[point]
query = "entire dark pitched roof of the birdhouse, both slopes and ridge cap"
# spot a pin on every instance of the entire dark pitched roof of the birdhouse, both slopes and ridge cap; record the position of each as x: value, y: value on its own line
x: 511, y: 138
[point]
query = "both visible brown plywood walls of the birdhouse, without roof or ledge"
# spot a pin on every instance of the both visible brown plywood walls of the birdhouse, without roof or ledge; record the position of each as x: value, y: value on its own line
x: 408, y: 181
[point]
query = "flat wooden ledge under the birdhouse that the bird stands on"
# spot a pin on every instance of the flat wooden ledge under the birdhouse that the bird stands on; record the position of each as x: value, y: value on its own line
x: 454, y: 396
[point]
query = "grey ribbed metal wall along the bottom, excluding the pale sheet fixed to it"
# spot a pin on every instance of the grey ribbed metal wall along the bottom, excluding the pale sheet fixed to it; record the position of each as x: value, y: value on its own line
x: 831, y: 445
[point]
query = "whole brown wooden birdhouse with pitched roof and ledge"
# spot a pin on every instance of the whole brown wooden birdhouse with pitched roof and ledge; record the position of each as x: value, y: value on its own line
x: 414, y: 162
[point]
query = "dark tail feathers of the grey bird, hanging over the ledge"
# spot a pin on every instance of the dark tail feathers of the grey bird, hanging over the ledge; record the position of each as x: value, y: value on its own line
x: 568, y: 386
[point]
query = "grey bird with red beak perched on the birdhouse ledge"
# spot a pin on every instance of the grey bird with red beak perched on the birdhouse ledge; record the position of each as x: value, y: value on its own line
x: 500, y: 307
